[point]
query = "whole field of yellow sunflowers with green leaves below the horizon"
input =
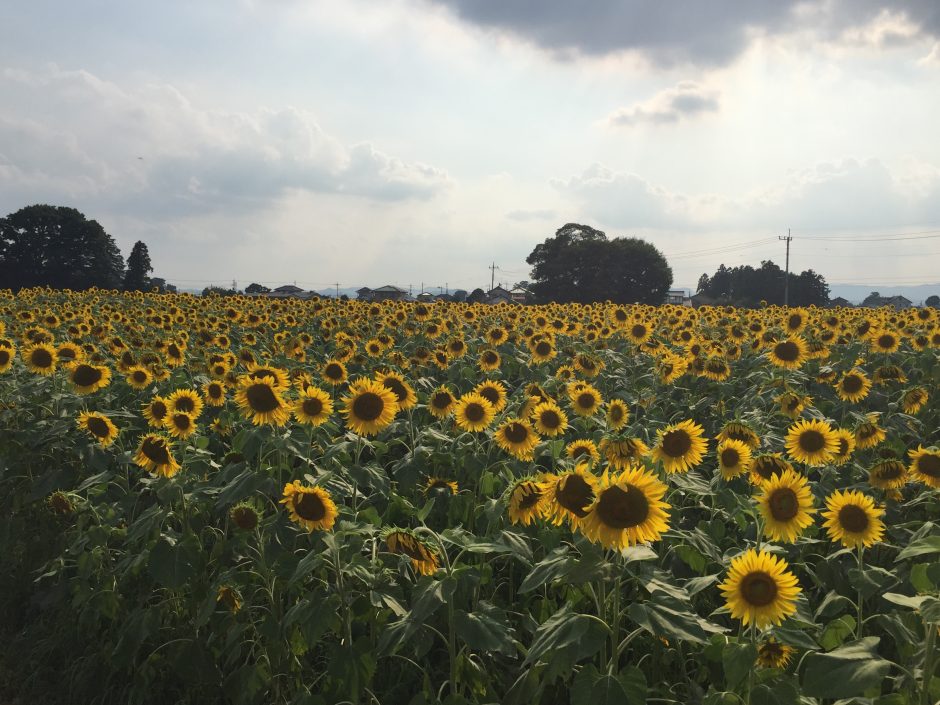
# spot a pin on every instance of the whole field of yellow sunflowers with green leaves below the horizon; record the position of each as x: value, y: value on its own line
x: 253, y: 500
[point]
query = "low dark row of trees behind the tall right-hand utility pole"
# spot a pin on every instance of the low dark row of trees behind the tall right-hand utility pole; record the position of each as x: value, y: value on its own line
x: 746, y: 286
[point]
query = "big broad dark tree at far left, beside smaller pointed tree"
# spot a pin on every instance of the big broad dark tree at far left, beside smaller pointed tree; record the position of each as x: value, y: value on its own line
x: 54, y: 246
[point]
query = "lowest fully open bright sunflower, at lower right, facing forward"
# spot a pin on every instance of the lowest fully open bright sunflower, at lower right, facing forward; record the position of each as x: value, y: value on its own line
x: 760, y: 588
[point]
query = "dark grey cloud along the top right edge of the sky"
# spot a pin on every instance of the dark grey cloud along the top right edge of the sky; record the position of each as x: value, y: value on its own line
x: 670, y: 33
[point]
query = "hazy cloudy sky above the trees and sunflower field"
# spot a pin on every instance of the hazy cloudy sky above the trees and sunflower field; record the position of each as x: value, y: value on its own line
x: 367, y: 142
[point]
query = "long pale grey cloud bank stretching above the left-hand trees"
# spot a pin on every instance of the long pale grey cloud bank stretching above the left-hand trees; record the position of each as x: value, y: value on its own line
x: 151, y: 151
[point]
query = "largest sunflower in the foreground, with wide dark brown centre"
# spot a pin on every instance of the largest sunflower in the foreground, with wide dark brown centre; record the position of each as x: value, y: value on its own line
x: 627, y: 509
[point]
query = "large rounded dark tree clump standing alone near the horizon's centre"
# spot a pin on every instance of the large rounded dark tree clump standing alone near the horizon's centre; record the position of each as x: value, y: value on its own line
x: 579, y: 264
